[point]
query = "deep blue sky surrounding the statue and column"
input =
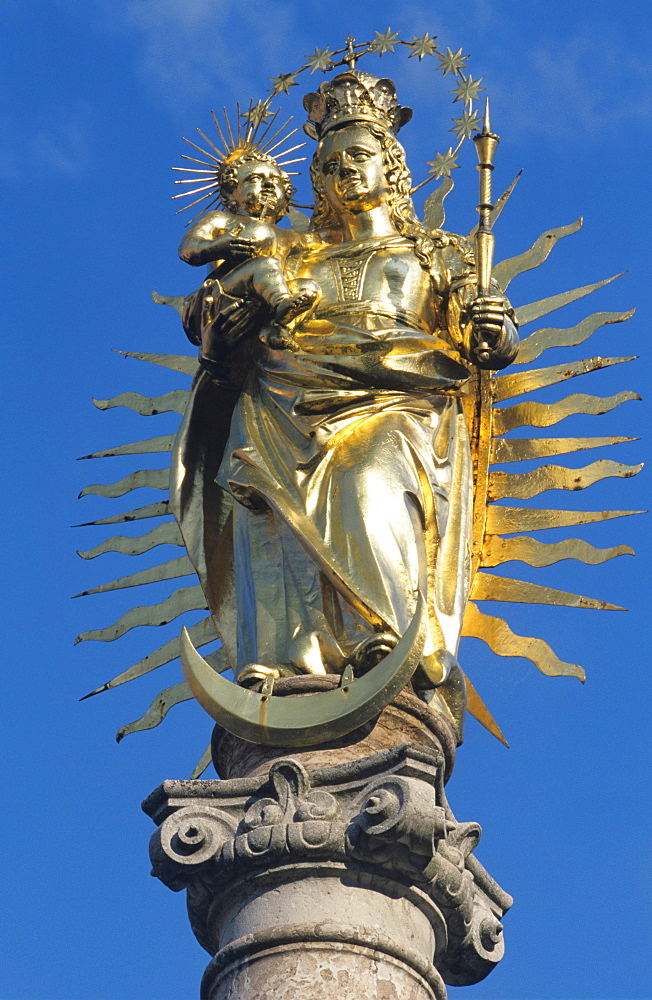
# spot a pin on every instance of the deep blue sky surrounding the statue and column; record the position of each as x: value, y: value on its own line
x: 95, y: 97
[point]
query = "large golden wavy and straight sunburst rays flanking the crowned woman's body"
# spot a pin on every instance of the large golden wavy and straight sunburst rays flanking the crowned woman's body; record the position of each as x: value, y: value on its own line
x: 489, y: 420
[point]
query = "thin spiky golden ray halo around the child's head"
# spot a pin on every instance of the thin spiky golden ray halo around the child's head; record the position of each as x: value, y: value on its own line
x: 249, y: 136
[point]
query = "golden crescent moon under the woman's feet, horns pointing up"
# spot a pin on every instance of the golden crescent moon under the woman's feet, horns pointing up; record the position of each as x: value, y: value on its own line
x: 313, y: 718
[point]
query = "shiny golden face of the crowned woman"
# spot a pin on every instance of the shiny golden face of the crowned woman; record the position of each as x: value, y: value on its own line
x: 353, y: 170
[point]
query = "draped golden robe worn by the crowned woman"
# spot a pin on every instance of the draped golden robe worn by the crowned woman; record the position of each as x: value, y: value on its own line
x: 318, y: 500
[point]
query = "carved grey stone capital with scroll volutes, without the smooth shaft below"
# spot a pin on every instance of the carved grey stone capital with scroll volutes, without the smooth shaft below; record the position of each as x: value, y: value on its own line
x: 385, y: 816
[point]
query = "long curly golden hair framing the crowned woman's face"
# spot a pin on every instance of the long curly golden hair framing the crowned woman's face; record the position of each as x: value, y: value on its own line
x: 399, y: 202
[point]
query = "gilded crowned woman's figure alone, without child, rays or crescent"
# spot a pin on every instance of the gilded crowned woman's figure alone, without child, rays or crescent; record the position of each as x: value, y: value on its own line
x: 347, y: 471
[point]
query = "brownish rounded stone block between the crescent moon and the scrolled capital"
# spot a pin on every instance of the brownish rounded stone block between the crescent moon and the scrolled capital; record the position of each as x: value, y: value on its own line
x: 406, y: 720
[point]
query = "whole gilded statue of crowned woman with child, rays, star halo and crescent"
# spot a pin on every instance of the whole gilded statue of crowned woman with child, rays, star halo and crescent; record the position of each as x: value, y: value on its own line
x: 331, y: 478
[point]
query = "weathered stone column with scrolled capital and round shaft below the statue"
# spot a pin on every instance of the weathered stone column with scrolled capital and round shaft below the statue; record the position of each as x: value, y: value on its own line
x: 354, y: 876
